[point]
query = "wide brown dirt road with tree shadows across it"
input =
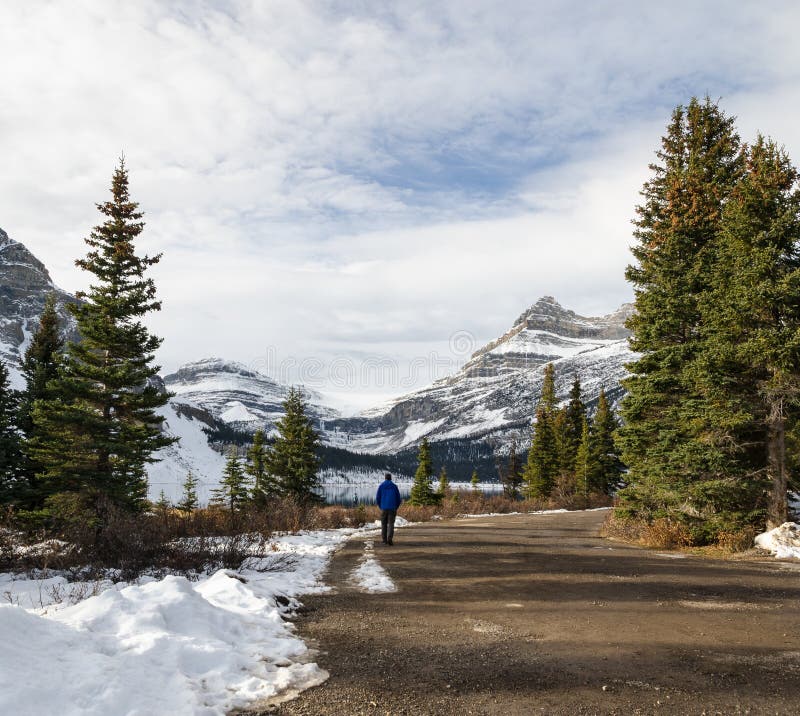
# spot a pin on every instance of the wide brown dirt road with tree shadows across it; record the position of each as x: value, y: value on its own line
x: 537, y: 614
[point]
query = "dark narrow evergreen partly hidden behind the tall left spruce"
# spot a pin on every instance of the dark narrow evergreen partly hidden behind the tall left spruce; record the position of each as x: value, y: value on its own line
x: 39, y: 368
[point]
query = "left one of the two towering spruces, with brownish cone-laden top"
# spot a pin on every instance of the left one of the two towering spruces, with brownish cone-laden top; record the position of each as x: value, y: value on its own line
x: 664, y: 435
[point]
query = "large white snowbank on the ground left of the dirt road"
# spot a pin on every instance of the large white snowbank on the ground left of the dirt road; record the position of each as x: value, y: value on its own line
x: 162, y: 646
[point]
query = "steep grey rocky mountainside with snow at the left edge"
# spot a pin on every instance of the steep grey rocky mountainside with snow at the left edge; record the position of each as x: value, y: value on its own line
x: 24, y: 286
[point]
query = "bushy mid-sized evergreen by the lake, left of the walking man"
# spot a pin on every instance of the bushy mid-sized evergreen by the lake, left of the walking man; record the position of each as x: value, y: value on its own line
x: 293, y: 458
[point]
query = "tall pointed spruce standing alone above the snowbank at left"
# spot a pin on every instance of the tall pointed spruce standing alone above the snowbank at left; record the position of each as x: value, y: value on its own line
x: 98, y: 429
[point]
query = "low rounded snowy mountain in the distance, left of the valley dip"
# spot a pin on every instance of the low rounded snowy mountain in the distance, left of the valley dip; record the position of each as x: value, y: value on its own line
x: 235, y: 395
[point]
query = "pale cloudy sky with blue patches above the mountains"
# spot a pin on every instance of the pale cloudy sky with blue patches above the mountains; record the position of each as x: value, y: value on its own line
x: 340, y: 187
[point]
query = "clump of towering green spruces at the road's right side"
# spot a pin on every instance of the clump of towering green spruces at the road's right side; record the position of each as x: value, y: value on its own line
x: 710, y: 418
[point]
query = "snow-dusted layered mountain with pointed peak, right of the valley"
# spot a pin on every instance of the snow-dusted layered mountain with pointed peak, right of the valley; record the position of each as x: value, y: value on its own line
x: 494, y: 394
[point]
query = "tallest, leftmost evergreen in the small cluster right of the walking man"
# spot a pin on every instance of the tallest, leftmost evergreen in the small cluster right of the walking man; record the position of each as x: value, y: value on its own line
x: 543, y: 464
